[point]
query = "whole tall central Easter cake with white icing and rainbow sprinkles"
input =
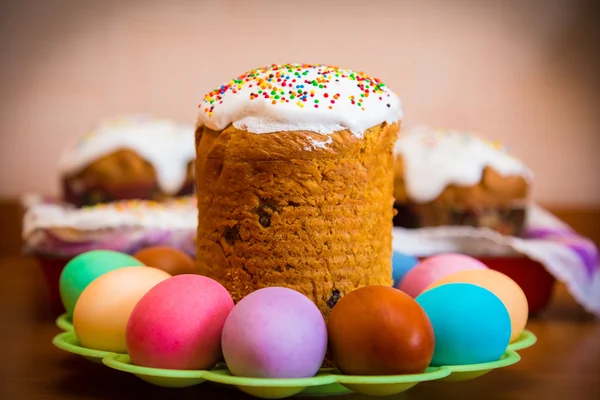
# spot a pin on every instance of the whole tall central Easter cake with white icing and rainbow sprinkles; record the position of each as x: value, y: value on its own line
x: 294, y: 178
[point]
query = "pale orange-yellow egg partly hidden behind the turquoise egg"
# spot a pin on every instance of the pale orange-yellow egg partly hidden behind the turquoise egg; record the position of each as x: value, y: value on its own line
x: 507, y: 290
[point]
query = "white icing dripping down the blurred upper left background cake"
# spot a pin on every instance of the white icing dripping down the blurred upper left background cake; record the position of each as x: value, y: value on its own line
x: 168, y: 146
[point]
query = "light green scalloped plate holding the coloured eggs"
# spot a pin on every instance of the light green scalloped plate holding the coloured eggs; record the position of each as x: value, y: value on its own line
x: 327, y: 382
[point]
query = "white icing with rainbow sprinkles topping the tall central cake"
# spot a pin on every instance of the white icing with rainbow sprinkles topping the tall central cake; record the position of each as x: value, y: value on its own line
x: 316, y: 98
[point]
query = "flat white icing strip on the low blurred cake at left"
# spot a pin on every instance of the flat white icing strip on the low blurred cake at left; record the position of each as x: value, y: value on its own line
x: 176, y: 214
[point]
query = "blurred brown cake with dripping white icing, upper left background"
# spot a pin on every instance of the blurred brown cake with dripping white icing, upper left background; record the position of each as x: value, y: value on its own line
x: 130, y: 157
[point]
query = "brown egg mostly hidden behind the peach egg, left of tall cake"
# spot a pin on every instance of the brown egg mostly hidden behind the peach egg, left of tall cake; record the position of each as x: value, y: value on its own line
x: 169, y: 259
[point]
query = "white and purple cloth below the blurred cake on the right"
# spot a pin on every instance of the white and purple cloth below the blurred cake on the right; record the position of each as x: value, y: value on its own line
x: 570, y: 257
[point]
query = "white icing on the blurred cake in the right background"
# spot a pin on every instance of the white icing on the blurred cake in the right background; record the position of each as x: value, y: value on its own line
x: 435, y: 158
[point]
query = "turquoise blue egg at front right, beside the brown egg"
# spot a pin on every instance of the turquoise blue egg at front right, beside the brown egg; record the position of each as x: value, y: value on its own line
x: 471, y: 324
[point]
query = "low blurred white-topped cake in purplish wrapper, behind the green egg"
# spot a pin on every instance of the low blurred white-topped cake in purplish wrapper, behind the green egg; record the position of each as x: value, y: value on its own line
x: 62, y: 231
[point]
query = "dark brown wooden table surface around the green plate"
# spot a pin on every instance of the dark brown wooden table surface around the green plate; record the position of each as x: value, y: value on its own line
x: 564, y: 364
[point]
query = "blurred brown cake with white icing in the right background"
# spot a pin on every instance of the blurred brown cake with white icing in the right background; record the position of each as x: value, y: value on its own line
x: 454, y: 178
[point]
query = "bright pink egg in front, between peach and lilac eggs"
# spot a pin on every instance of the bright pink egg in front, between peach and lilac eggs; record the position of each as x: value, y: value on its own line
x: 178, y: 324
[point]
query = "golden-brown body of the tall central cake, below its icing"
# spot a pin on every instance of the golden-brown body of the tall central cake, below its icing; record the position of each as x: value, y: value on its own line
x: 274, y: 211
